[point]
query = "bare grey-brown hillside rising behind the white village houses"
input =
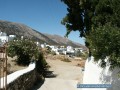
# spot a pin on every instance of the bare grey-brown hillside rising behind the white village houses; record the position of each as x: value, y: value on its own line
x: 19, y: 30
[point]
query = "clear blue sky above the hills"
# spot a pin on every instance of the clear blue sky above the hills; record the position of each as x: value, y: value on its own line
x: 42, y: 15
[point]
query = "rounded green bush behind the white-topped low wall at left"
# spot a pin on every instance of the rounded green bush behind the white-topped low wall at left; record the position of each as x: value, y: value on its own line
x: 25, y: 50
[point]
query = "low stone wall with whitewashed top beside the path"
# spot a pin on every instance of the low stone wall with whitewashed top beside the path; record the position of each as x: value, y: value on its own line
x: 22, y: 80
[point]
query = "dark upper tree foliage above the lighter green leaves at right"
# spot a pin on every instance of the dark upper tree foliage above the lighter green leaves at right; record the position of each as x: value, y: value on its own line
x: 84, y: 14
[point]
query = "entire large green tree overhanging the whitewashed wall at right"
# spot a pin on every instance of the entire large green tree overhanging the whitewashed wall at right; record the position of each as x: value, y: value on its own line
x: 99, y: 22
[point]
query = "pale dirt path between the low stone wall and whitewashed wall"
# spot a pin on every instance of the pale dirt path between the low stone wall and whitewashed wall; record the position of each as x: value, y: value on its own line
x: 67, y: 76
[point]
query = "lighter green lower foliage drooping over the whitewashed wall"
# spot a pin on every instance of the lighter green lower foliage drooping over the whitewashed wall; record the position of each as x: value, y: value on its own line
x: 105, y: 43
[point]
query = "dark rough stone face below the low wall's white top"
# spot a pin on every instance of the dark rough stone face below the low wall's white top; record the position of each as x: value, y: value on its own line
x: 24, y: 82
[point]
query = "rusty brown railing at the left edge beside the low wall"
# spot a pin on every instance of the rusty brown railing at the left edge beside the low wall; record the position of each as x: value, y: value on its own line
x: 3, y: 68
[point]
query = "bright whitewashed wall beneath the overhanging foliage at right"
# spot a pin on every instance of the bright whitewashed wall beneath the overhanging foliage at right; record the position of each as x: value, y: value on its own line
x: 94, y: 74
